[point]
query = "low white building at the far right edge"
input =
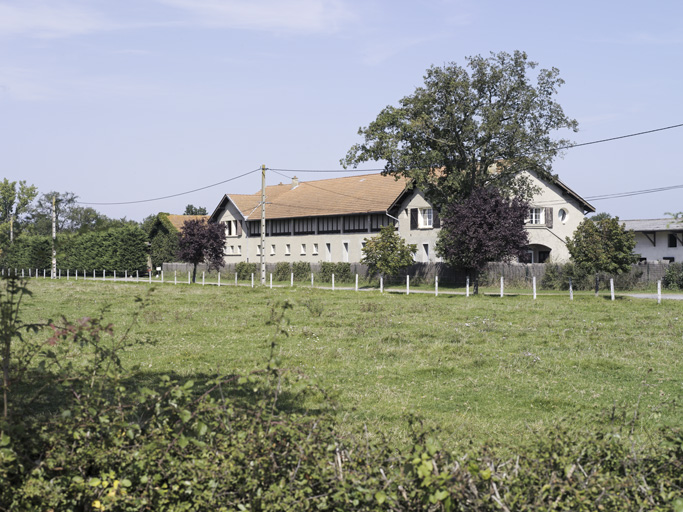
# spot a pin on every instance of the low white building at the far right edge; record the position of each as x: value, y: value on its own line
x: 657, y: 240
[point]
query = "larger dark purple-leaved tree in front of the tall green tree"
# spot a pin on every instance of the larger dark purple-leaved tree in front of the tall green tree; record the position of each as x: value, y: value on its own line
x: 484, y: 227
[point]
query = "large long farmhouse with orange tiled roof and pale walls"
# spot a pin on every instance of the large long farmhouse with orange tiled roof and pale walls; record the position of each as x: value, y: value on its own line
x: 328, y: 220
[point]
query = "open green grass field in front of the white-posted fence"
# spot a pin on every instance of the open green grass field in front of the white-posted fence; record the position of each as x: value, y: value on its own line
x: 480, y: 368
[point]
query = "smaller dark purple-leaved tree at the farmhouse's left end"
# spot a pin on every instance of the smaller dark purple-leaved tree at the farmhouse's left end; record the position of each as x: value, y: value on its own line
x: 202, y: 242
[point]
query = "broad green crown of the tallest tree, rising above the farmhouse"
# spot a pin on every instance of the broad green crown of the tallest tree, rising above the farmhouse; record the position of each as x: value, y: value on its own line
x: 470, y: 129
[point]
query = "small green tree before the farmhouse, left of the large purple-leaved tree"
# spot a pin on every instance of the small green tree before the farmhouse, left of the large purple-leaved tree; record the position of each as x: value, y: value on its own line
x: 387, y: 253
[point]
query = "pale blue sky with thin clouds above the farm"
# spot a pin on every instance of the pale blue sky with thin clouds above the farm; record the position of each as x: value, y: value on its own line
x: 129, y: 100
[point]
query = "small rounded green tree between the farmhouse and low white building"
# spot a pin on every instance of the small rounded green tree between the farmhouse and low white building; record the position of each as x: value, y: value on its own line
x: 602, y: 245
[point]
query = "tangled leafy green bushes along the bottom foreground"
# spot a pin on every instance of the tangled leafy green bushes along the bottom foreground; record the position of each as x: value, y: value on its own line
x: 83, y: 434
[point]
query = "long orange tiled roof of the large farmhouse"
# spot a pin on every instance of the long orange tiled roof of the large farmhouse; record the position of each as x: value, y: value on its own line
x: 338, y: 196
